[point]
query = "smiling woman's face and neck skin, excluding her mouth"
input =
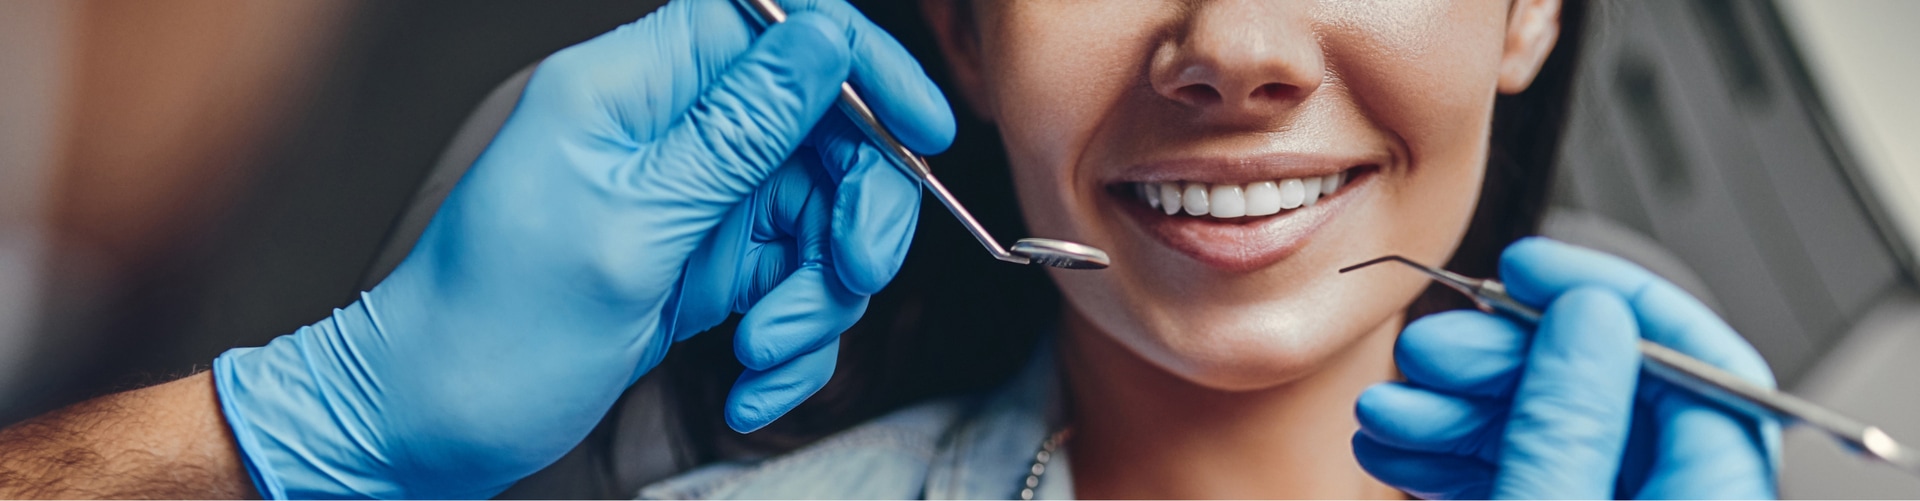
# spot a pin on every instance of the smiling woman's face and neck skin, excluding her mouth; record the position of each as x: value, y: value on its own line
x: 1191, y: 379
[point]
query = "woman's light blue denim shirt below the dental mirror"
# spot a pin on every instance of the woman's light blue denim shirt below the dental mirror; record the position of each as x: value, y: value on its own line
x: 961, y: 448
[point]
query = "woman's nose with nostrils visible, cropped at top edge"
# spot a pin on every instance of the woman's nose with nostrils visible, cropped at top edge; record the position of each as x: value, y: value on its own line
x: 1241, y: 59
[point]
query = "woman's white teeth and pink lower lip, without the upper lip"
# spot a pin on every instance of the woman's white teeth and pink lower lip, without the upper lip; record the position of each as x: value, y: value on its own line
x: 1239, y: 227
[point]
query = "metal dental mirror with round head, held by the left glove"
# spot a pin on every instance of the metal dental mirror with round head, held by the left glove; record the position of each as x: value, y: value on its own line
x: 1028, y: 250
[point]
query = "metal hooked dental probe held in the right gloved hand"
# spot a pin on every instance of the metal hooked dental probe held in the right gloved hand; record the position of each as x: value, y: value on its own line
x: 1696, y: 375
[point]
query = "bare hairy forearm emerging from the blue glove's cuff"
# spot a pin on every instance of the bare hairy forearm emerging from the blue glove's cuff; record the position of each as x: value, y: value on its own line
x: 166, y: 441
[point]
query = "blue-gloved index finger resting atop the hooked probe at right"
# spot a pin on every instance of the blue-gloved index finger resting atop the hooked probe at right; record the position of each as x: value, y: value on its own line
x: 1537, y: 270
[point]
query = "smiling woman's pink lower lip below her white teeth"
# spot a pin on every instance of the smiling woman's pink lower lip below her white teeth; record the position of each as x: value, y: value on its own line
x: 1243, y: 245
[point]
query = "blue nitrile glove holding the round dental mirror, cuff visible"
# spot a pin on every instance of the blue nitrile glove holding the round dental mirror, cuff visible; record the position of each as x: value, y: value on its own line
x: 650, y: 183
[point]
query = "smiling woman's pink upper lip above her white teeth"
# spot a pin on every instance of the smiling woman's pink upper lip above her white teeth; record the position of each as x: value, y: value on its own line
x: 1241, y: 170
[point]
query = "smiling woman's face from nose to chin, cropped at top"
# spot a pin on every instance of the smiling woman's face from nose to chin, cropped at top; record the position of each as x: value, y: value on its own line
x: 1232, y: 156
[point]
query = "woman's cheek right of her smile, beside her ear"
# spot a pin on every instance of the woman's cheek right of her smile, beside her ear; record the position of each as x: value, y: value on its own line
x: 1428, y: 74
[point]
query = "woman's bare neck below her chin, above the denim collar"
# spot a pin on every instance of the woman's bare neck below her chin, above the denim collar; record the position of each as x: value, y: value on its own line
x: 1145, y: 433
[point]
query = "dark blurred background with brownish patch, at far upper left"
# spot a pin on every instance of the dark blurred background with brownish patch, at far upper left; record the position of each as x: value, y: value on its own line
x: 229, y: 168
